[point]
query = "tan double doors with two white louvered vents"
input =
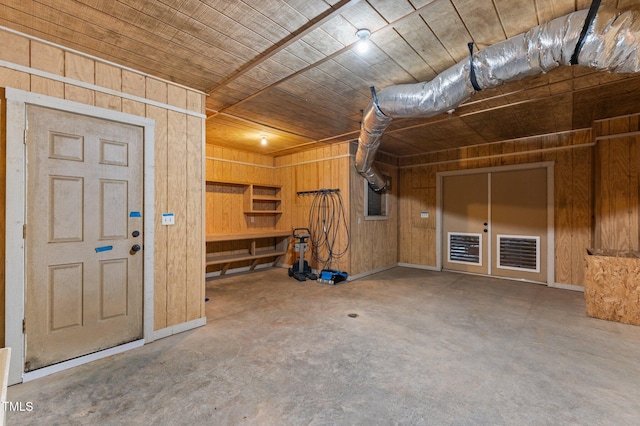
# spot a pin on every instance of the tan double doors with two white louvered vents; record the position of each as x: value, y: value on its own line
x: 495, y: 223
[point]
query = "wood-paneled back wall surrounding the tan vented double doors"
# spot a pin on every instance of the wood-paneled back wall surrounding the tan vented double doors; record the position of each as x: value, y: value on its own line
x: 573, y: 194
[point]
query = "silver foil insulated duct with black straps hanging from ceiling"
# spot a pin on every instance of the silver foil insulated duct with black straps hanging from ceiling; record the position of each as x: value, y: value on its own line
x: 605, y: 39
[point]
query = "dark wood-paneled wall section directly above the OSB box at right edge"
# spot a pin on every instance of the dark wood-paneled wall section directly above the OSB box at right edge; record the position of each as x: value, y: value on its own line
x: 617, y: 183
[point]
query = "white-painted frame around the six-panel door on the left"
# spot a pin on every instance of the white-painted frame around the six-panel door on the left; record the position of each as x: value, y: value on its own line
x: 16, y: 213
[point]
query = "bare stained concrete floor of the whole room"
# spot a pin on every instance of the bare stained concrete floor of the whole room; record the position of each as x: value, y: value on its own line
x: 425, y: 348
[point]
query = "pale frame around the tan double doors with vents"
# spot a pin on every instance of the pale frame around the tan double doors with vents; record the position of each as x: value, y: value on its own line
x: 548, y: 165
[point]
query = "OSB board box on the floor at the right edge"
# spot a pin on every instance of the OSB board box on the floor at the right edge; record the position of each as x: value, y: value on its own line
x: 612, y: 288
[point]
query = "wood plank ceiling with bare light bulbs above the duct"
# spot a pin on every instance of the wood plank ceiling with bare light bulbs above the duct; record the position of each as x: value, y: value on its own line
x: 289, y: 70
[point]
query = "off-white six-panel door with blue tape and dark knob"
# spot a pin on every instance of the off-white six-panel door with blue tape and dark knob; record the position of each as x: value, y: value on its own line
x: 84, y: 233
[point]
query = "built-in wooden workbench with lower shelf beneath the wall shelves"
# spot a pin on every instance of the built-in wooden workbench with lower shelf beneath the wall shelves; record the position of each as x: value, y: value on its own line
x: 252, y: 253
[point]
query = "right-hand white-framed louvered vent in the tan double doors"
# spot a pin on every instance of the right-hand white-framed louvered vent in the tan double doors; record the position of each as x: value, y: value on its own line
x: 519, y: 252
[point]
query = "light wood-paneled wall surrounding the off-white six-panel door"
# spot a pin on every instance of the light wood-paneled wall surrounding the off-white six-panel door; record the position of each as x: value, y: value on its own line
x: 179, y: 250
